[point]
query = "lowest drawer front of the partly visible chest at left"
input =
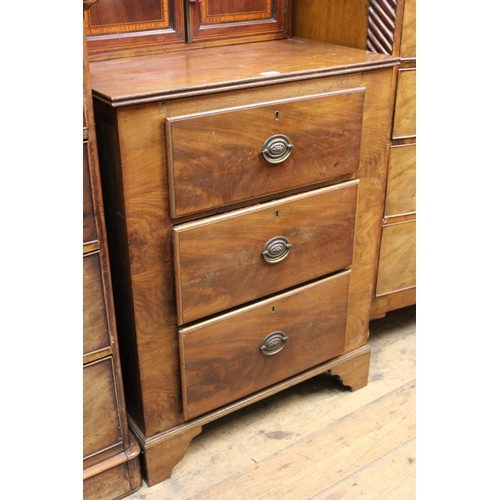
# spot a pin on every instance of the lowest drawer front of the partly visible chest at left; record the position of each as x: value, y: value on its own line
x: 102, y: 432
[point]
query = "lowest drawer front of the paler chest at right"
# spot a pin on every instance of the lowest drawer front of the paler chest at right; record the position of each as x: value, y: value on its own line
x: 397, y: 265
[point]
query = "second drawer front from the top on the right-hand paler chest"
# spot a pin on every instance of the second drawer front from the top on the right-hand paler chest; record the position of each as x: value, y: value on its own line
x: 405, y: 111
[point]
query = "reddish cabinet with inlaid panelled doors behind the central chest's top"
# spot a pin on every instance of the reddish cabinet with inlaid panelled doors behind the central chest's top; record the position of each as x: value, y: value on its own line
x: 120, y: 28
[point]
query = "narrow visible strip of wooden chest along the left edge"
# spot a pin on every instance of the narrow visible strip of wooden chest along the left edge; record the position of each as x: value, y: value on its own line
x: 111, y: 467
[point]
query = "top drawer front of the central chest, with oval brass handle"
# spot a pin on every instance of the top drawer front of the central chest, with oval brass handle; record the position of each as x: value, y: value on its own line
x: 215, y: 159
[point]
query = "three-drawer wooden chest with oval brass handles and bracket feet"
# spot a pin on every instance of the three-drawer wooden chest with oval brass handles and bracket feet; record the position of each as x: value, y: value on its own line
x: 242, y: 190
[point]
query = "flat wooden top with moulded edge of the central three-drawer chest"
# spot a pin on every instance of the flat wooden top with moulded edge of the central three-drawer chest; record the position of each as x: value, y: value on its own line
x: 169, y: 75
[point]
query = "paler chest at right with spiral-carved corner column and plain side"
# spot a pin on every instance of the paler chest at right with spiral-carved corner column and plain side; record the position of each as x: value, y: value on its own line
x: 385, y: 27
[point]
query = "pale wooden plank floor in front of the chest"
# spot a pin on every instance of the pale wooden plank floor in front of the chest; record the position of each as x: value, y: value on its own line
x: 317, y: 440
